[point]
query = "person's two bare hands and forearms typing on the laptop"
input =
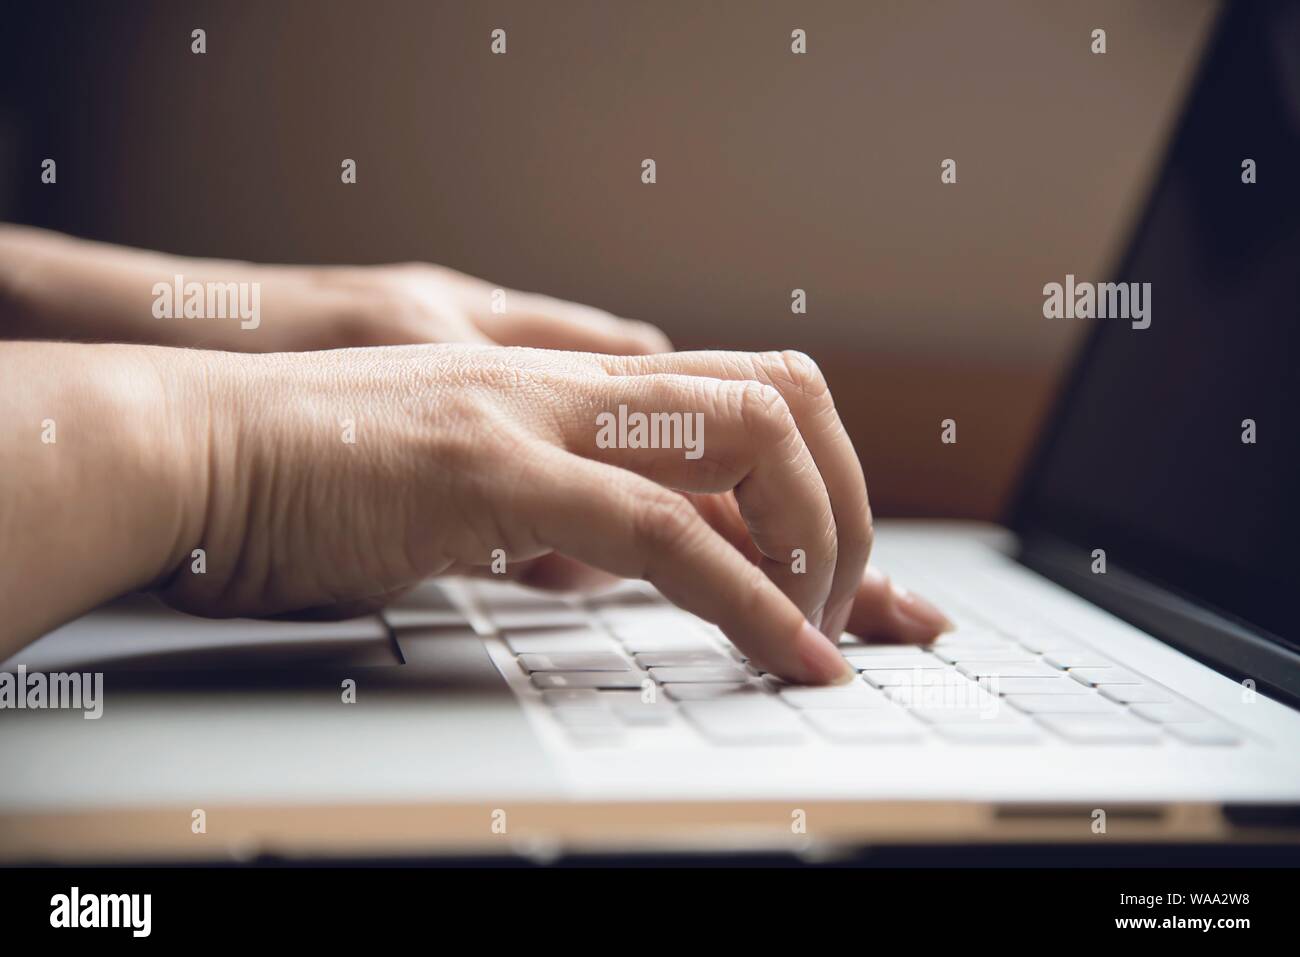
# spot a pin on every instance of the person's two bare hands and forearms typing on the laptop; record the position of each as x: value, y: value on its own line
x: 482, y: 443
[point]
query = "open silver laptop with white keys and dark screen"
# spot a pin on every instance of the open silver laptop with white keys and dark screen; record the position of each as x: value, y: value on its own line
x: 1125, y: 666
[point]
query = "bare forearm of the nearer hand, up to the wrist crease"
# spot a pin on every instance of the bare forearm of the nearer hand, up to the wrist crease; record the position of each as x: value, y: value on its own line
x: 103, y: 452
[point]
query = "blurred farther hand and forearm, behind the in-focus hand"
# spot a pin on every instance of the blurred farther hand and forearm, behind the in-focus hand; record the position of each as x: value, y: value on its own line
x: 58, y: 287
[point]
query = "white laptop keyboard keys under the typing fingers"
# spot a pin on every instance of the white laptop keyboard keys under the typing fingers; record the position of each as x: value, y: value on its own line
x: 617, y: 670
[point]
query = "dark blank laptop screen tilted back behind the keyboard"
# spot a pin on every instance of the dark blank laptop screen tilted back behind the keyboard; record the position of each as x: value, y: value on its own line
x: 1175, y: 448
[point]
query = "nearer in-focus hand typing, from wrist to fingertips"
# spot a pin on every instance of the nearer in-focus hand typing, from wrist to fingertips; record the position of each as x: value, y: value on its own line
x: 462, y: 451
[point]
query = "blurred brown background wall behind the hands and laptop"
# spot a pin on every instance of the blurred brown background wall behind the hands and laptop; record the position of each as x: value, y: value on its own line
x: 820, y: 172
